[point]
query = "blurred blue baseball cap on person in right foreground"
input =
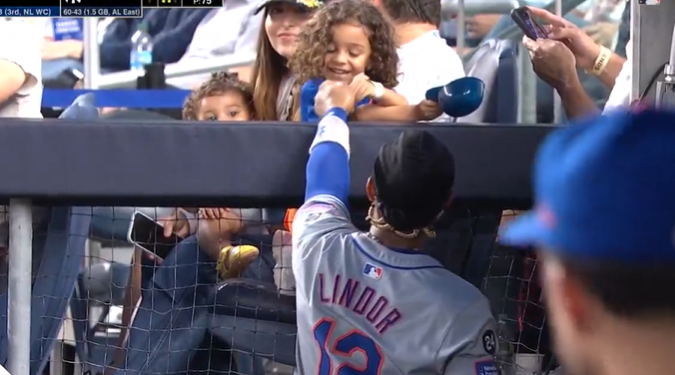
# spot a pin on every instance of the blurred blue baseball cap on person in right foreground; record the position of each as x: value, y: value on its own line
x: 605, y: 191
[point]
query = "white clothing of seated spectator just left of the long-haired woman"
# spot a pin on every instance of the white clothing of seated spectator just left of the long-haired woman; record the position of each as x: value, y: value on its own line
x: 229, y: 30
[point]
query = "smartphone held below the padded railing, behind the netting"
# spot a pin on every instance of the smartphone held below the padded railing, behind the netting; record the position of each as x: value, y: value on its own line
x: 148, y: 234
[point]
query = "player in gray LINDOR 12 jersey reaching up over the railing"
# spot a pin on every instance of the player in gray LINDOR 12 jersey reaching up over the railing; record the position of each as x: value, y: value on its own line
x: 371, y: 303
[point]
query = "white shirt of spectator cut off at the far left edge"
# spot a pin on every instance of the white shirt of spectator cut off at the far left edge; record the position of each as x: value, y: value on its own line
x: 25, y: 52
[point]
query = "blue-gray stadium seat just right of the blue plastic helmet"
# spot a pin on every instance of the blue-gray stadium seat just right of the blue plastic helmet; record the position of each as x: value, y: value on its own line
x: 496, y: 63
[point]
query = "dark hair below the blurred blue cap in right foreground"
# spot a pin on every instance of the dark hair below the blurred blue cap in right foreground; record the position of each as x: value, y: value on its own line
x: 627, y: 290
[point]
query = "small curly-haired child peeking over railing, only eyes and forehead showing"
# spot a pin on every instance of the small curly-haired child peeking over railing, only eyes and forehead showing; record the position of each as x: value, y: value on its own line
x: 222, y: 98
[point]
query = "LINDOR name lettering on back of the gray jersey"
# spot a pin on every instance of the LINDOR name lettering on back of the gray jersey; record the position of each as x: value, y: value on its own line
x: 362, y: 300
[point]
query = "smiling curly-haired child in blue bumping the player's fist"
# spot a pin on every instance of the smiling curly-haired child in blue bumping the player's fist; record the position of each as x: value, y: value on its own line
x: 348, y: 41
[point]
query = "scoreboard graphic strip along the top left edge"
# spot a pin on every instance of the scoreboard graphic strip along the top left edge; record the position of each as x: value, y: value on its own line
x: 95, y: 8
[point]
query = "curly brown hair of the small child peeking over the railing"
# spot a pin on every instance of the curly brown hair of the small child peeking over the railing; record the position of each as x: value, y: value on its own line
x: 218, y: 84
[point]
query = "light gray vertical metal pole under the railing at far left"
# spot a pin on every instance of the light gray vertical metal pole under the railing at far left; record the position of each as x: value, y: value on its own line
x: 19, y: 286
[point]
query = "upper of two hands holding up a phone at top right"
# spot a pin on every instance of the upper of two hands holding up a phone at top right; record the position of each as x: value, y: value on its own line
x: 583, y: 47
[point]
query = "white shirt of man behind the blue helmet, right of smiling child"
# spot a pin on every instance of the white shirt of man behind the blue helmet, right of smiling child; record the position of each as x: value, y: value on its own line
x: 424, y: 63
